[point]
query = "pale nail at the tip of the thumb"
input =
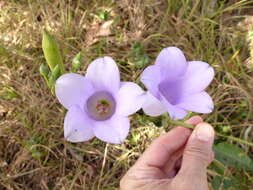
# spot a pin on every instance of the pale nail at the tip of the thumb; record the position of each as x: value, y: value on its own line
x: 204, y: 132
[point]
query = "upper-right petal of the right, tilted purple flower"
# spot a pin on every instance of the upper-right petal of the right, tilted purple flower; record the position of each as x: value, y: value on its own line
x: 197, y: 77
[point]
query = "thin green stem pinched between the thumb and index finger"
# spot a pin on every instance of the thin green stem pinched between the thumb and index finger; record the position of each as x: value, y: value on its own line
x: 189, y: 126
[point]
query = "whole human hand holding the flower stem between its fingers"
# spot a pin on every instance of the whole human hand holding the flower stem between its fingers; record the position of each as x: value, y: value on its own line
x: 176, y: 160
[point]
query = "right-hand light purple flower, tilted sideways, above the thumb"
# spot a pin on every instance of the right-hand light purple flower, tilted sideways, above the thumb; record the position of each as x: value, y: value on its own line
x: 177, y: 86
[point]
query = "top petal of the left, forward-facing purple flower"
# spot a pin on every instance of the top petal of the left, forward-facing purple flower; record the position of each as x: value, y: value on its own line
x: 104, y: 74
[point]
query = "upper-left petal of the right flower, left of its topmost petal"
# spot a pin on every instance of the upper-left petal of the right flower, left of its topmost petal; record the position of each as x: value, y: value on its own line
x: 151, y: 77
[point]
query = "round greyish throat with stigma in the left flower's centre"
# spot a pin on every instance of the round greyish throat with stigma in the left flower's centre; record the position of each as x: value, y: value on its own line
x: 101, y: 106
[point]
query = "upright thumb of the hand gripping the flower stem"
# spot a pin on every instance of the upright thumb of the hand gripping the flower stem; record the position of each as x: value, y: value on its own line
x: 198, y: 151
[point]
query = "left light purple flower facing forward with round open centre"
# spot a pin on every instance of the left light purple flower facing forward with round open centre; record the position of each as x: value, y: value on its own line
x: 98, y: 103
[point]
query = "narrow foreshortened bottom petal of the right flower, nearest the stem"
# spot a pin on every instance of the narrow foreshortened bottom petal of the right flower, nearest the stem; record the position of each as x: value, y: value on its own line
x: 174, y: 111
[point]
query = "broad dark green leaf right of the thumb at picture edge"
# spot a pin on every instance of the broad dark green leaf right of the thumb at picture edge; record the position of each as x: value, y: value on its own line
x: 233, y: 156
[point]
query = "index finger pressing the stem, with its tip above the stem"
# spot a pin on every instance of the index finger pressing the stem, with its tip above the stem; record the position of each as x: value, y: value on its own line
x: 161, y: 150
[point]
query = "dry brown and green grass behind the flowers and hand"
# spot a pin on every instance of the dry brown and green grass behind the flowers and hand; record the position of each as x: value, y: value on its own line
x: 33, y: 152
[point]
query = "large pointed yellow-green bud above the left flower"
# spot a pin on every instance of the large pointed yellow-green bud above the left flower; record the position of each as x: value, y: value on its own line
x: 52, y: 52
